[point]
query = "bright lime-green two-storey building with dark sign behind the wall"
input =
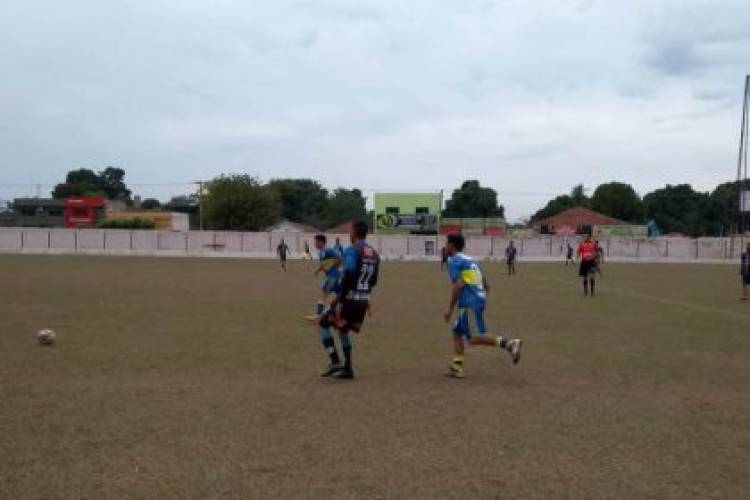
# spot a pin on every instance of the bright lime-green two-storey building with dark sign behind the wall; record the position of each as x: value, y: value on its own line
x: 407, y: 213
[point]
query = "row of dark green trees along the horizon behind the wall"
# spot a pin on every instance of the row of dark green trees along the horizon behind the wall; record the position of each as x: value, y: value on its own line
x: 243, y: 202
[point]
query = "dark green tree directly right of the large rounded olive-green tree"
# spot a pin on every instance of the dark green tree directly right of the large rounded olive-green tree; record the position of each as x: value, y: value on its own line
x: 302, y: 200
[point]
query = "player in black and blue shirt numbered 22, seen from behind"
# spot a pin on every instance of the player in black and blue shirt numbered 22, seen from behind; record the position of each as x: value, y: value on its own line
x: 361, y: 264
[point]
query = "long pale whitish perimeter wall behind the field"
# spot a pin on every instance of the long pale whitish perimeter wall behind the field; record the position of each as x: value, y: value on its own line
x: 399, y: 247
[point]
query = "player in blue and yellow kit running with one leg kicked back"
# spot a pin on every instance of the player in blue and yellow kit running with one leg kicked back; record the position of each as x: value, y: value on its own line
x: 469, y: 293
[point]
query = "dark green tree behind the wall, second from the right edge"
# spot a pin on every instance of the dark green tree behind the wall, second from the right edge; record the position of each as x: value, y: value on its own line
x: 678, y: 209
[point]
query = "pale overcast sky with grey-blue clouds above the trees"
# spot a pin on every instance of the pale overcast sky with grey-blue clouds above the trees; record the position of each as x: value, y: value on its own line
x: 529, y: 97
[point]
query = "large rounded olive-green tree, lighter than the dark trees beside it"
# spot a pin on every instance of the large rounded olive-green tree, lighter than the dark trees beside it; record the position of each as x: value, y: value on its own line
x: 240, y: 203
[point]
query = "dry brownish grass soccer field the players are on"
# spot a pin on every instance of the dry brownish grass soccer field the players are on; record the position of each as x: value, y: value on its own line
x: 197, y: 379
